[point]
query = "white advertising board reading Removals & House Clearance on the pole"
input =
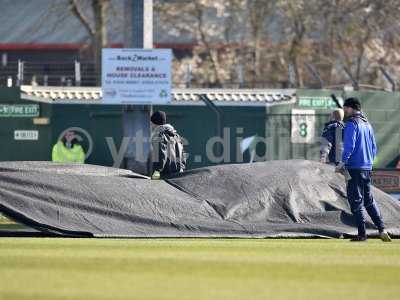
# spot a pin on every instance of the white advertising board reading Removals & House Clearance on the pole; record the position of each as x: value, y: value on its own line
x: 136, y: 76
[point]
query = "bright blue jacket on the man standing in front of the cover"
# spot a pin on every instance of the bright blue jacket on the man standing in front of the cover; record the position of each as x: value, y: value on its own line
x: 359, y: 143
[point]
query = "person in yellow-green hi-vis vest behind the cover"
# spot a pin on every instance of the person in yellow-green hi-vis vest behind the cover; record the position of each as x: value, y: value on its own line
x: 68, y: 150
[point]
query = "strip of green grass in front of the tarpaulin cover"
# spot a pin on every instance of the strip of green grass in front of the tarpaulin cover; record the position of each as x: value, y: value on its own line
x: 41, y: 268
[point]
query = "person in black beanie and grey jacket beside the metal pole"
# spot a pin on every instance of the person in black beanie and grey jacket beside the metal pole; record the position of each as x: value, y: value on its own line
x: 167, y: 147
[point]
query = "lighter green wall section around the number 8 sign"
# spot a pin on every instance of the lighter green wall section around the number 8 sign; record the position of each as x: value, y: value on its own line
x: 381, y: 108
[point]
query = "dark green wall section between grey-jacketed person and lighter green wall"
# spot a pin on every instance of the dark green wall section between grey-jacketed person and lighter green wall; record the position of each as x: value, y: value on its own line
x: 198, y: 124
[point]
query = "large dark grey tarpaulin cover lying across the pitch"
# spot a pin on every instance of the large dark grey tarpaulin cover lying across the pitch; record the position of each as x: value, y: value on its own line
x: 293, y: 198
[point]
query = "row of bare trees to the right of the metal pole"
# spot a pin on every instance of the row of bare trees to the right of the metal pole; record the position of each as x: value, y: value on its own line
x: 358, y: 35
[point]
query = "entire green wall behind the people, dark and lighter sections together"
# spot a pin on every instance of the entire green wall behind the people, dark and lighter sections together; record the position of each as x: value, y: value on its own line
x: 198, y: 125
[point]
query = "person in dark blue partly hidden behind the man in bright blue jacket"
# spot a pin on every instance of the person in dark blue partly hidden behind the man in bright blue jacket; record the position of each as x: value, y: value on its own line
x: 331, y: 139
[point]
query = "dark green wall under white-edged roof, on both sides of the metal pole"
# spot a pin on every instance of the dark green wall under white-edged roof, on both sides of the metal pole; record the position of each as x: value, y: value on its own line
x: 197, y: 124
